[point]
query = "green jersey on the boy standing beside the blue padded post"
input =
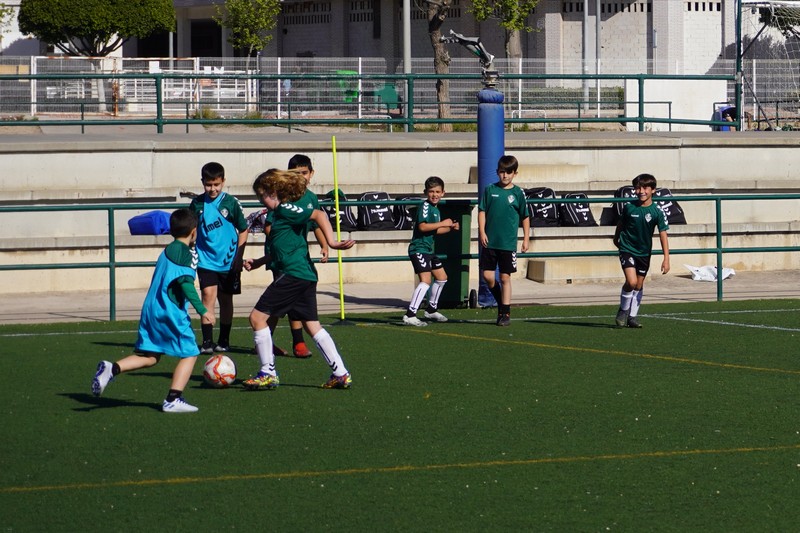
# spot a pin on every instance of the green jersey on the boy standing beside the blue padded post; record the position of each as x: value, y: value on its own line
x: 504, y: 210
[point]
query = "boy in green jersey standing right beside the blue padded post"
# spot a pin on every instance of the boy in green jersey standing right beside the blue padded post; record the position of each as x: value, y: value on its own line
x: 500, y: 211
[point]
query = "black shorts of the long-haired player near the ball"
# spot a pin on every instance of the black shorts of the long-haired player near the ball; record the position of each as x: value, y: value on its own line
x: 287, y: 294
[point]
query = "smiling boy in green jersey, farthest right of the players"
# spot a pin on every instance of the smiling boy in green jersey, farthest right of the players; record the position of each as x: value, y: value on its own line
x: 634, y: 238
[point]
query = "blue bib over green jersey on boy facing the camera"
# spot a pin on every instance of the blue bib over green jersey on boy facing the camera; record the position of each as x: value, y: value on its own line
x: 219, y: 223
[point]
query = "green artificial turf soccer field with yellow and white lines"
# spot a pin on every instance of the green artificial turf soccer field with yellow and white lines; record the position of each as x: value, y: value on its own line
x: 560, y: 422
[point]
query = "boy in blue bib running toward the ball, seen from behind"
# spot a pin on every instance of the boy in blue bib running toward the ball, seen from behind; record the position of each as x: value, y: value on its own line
x: 165, y: 326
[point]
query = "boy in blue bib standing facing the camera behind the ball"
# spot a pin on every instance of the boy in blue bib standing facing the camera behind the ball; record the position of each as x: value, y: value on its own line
x: 221, y: 237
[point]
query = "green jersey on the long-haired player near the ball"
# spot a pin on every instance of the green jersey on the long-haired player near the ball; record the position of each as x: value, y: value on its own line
x: 288, y: 246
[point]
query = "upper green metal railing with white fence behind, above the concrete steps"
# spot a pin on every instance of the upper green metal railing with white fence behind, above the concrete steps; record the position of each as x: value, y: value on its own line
x: 344, y: 99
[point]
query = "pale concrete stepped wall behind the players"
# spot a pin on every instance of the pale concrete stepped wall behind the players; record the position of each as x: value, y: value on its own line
x: 119, y: 170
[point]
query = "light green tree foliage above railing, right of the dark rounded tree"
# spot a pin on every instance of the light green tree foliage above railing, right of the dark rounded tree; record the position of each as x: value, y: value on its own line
x: 250, y: 22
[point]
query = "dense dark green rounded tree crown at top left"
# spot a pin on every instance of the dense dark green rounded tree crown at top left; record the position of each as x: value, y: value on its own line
x: 94, y: 27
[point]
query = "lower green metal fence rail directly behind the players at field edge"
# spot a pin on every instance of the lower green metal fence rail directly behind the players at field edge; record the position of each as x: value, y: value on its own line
x: 112, y: 264
